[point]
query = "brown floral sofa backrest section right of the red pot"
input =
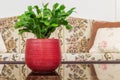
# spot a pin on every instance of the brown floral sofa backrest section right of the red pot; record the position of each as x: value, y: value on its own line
x: 76, y: 39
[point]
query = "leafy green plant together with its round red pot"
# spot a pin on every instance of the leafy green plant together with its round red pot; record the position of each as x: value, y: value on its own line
x: 43, y: 54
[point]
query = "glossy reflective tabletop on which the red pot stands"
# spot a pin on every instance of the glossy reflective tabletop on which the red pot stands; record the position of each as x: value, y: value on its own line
x: 68, y: 70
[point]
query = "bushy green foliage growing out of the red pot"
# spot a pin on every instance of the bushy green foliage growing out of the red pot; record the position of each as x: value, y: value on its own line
x: 43, y: 21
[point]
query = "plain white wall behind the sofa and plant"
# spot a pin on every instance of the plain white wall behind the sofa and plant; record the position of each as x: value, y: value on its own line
x: 91, y: 9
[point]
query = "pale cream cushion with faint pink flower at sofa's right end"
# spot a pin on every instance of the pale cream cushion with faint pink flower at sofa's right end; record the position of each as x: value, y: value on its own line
x: 107, y: 40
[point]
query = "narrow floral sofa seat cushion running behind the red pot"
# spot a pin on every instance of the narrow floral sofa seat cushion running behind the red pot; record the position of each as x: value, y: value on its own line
x: 66, y: 56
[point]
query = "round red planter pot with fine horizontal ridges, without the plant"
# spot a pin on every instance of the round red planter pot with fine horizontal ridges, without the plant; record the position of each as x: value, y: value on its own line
x: 42, y: 55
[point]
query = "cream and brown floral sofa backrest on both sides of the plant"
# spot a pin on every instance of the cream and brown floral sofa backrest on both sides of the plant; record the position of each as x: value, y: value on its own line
x: 72, y: 41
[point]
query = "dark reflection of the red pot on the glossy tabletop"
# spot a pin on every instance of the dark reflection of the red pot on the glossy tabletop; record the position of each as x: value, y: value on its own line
x: 43, y: 76
